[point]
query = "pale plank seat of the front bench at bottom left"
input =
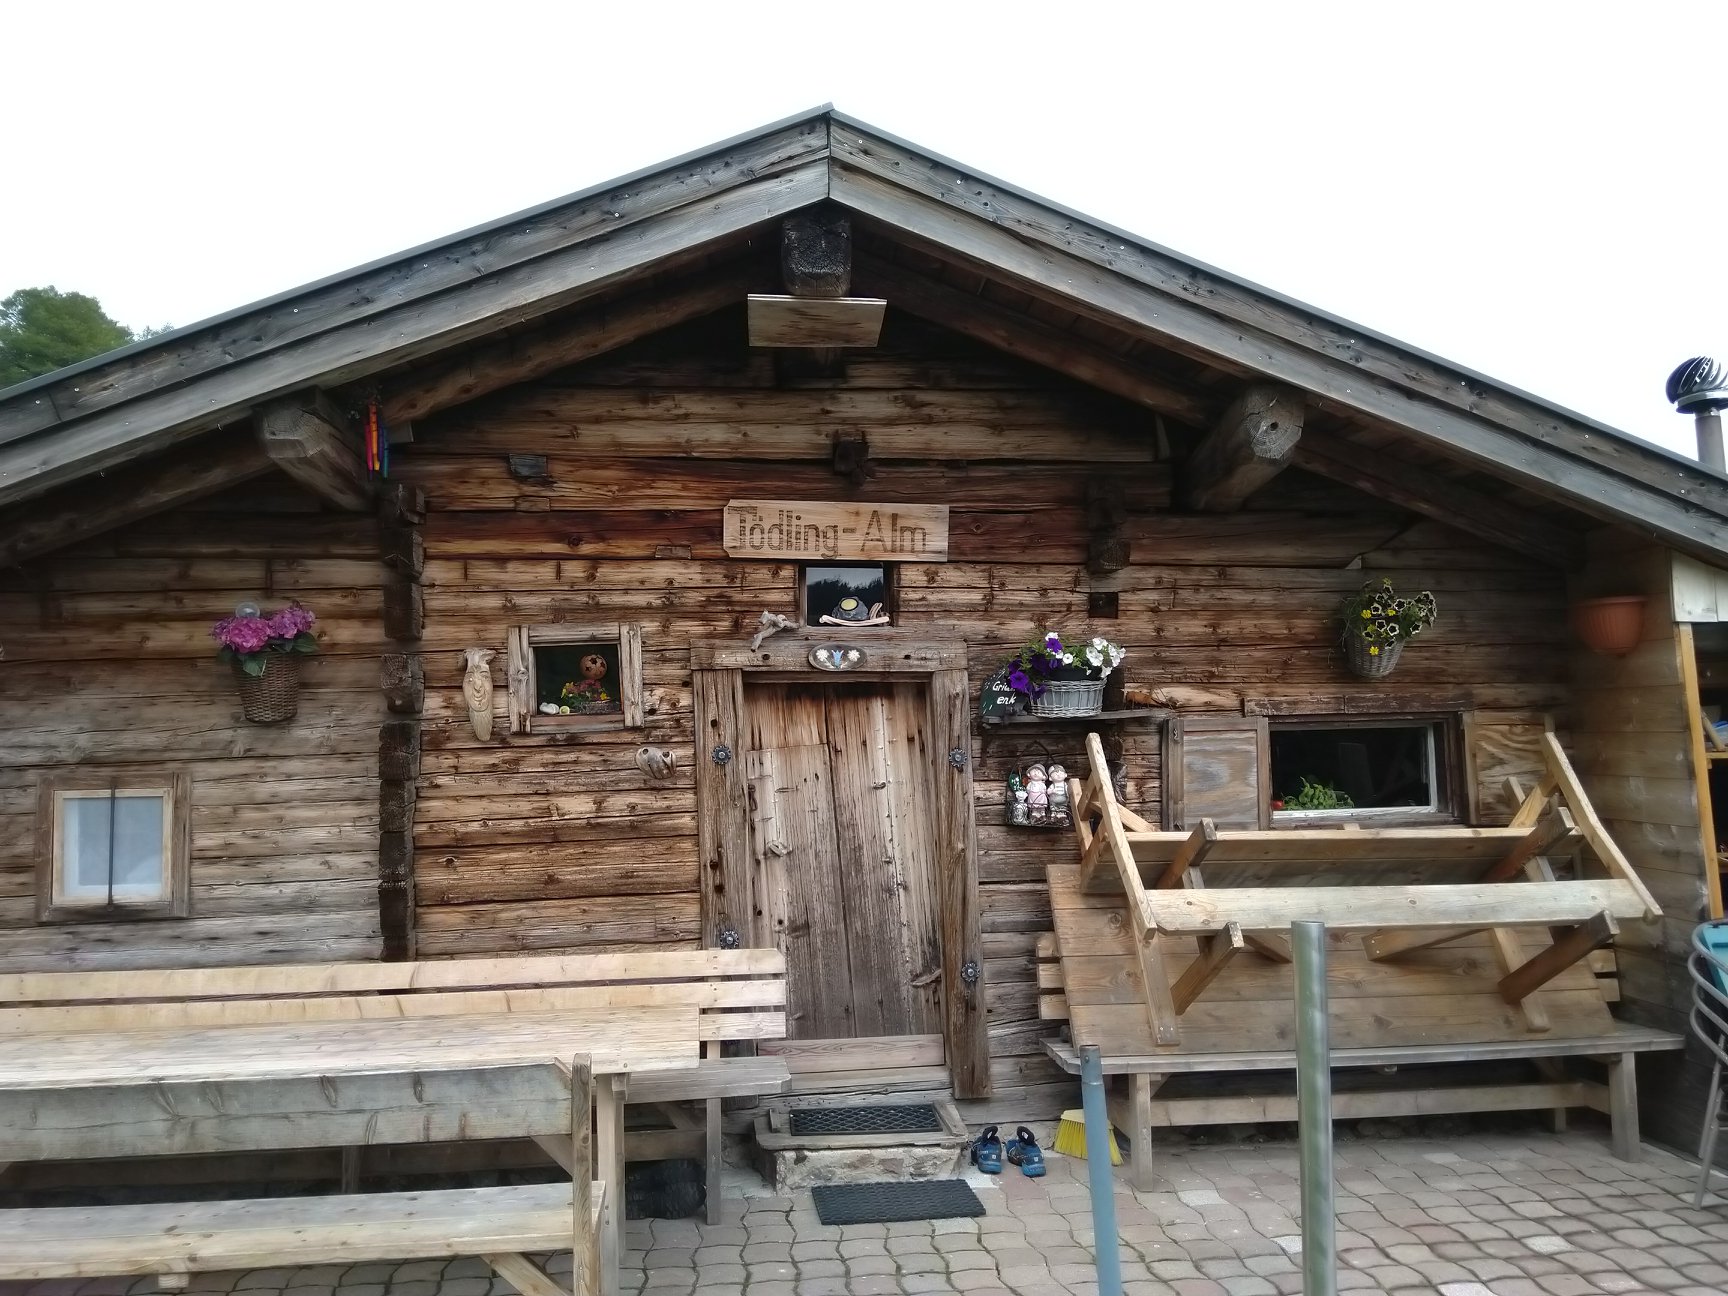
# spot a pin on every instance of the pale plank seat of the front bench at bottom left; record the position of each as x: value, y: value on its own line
x: 353, y: 1228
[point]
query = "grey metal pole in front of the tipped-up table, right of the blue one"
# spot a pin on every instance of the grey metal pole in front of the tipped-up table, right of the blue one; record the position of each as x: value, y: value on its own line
x: 1314, y: 1112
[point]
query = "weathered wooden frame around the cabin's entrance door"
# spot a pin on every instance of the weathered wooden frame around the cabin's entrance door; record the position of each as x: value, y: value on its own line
x: 730, y: 908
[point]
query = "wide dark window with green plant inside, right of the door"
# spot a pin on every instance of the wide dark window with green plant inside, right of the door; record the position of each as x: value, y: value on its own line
x: 1383, y: 770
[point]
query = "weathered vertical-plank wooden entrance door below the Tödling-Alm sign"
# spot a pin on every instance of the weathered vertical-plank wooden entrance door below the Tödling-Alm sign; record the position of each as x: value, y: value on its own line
x: 842, y: 841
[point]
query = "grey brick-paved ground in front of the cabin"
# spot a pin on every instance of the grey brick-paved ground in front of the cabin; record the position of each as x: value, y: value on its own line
x: 1482, y: 1216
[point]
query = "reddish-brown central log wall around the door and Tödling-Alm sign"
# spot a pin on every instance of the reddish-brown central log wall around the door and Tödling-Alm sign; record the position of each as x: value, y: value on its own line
x: 554, y: 844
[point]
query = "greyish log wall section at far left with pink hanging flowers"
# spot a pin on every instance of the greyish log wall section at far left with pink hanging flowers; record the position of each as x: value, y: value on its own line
x: 108, y: 661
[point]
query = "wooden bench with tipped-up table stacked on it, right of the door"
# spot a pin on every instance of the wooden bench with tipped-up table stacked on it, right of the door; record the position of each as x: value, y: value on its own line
x: 1447, y: 944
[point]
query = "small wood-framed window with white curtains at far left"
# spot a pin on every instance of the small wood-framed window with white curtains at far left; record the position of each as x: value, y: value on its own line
x: 113, y: 844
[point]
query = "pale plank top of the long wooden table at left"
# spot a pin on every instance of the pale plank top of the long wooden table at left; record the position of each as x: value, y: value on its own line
x: 616, y: 1041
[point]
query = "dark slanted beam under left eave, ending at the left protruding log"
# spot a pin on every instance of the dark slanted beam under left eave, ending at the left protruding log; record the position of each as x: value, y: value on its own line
x: 115, y: 500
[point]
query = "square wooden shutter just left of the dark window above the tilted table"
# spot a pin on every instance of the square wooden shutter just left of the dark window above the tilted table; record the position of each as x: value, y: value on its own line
x: 1217, y: 768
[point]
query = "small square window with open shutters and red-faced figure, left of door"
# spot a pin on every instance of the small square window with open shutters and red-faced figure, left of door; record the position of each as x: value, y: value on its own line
x: 569, y: 678
